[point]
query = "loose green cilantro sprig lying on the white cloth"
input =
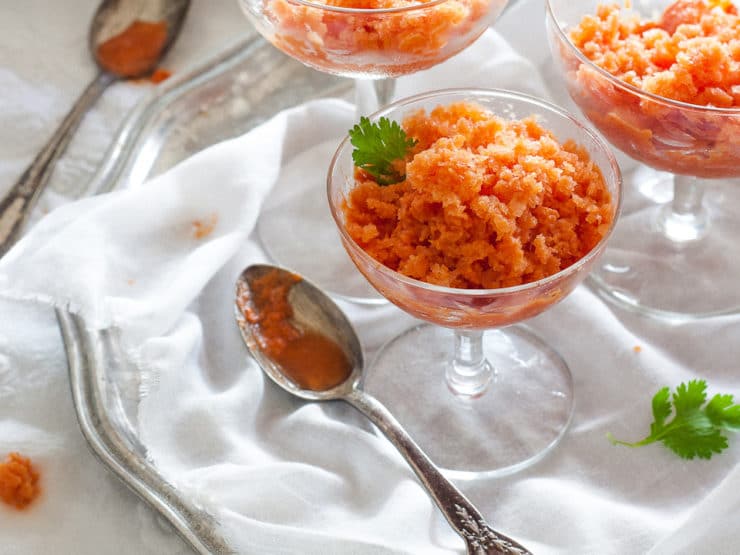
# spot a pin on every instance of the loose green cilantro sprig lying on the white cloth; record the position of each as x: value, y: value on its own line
x: 696, y: 429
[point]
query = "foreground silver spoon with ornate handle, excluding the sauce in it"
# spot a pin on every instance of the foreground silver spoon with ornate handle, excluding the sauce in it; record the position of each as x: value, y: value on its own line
x: 312, y: 308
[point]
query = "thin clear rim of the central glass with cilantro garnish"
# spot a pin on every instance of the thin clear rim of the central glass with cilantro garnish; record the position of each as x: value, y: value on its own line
x: 477, y: 93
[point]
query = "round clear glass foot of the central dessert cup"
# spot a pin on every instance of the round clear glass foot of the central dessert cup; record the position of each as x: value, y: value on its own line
x: 521, y: 415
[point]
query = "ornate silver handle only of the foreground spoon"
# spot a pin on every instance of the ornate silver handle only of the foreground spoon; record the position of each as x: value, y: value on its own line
x: 462, y: 515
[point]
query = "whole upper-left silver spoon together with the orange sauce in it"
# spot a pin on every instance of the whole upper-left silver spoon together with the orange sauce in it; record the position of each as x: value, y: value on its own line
x: 127, y: 39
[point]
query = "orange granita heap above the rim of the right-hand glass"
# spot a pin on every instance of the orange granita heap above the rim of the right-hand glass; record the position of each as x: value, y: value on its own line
x: 690, y: 53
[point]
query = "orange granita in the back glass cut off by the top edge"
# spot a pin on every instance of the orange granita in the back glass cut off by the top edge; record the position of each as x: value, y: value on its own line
x: 391, y: 43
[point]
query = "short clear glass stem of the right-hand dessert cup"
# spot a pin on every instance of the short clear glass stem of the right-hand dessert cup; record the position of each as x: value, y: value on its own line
x: 685, y: 218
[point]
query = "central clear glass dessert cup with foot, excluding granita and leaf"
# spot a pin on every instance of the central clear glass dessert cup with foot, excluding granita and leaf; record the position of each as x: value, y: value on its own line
x: 481, y: 395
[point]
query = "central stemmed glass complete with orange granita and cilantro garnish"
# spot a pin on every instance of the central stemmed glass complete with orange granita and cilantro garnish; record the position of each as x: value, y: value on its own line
x: 473, y: 210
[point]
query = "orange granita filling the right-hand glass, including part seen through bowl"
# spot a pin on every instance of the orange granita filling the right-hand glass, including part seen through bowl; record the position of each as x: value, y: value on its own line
x: 686, y: 61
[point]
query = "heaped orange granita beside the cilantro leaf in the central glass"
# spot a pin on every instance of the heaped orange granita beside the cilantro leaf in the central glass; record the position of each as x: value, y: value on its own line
x: 486, y: 202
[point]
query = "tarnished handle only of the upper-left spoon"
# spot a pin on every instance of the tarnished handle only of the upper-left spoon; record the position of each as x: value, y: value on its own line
x: 17, y: 204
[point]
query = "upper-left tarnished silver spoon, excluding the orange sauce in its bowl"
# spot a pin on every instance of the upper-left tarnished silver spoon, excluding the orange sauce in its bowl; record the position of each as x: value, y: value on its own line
x: 111, y: 18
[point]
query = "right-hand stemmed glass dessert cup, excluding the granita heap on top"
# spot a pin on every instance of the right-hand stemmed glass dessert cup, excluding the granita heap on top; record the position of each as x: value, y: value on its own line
x: 676, y: 260
